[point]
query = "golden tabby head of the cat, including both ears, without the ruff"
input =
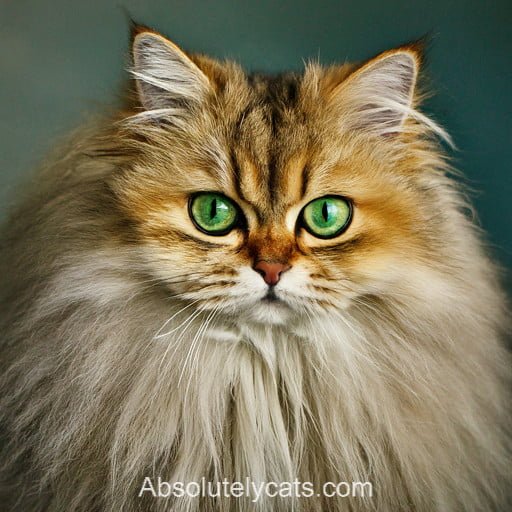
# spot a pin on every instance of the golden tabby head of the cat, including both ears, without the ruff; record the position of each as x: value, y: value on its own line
x: 275, y: 198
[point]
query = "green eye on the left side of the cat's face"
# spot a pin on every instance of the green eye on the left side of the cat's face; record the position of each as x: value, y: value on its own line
x: 213, y: 213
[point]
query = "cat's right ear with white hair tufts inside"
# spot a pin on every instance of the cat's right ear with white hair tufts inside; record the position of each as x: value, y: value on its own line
x: 378, y: 96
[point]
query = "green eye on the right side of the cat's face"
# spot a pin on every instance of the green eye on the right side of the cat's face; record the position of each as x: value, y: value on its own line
x: 327, y: 217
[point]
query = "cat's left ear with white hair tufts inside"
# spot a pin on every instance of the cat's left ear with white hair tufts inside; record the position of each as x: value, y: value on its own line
x: 166, y: 77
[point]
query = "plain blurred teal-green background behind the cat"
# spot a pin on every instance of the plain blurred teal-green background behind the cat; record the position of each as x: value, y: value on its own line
x: 61, y: 59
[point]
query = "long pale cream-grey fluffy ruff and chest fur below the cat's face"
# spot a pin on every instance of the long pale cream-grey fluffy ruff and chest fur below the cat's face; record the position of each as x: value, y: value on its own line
x: 407, y: 395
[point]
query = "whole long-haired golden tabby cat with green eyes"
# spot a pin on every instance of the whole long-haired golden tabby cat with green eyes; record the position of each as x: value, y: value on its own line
x: 238, y: 276
